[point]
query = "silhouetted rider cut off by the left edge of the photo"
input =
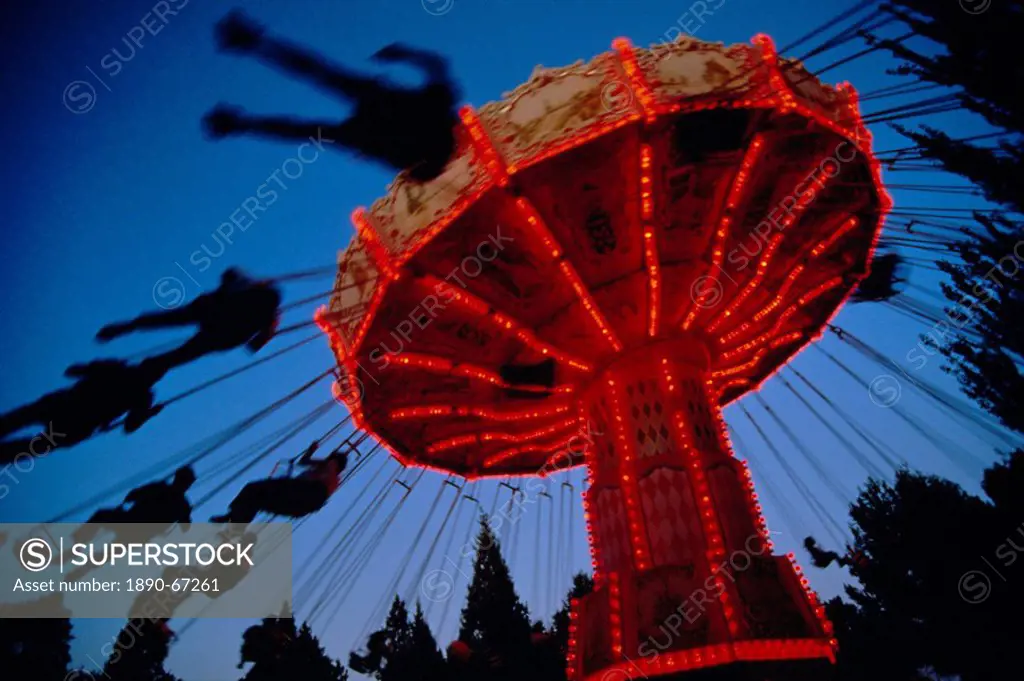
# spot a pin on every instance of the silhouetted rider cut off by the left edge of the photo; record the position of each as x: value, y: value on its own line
x: 106, y: 390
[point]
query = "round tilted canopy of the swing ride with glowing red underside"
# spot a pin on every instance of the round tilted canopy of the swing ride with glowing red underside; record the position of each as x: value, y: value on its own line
x: 691, y: 189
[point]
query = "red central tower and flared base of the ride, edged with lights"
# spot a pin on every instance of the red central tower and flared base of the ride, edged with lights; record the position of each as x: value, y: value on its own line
x: 686, y: 580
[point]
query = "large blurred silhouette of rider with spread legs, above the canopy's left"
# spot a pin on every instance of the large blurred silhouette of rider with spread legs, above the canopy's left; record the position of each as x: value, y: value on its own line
x: 407, y: 129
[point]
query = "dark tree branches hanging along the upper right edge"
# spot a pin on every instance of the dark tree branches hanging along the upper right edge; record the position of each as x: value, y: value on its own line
x: 985, y: 340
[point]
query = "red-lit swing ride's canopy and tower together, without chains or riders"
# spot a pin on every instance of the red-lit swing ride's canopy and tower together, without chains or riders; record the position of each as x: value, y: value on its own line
x: 620, y: 249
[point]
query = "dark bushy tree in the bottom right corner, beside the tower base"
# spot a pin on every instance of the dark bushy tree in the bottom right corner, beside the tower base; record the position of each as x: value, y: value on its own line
x: 928, y: 599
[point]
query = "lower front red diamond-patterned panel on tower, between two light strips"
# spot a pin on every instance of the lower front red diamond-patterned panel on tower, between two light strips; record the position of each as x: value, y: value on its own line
x: 671, y: 514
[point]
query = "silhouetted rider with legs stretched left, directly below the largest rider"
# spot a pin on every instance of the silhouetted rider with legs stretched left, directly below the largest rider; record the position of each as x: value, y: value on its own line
x: 240, y: 312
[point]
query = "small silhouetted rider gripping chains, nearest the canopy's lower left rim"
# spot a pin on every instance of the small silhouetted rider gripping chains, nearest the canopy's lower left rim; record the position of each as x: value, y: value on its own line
x: 292, y: 497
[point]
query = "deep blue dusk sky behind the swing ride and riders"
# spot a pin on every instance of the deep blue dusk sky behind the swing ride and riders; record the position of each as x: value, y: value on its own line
x: 102, y: 206
